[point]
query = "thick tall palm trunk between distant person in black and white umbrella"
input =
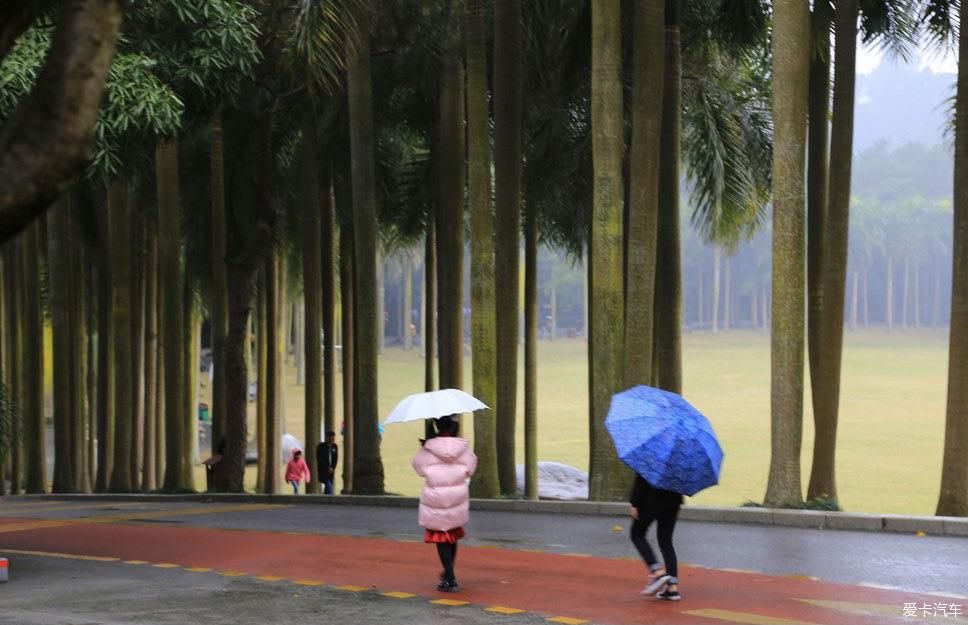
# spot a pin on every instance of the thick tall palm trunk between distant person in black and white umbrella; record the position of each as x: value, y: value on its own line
x: 368, y: 466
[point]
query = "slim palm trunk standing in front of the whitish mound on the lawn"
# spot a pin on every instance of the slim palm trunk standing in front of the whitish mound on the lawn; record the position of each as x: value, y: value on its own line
x: 531, y: 353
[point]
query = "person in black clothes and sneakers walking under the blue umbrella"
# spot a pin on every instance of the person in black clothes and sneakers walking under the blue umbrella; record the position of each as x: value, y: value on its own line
x: 648, y: 505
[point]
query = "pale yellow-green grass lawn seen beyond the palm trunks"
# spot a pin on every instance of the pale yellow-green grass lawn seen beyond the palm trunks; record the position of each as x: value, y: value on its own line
x: 891, y: 432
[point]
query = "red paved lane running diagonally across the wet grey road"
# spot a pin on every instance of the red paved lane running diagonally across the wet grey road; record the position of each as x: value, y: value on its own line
x: 598, y: 589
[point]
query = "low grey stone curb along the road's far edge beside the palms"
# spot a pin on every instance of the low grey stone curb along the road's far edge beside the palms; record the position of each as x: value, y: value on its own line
x: 806, y: 519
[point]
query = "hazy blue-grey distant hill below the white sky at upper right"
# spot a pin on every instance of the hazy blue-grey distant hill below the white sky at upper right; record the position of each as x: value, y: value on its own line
x: 901, y: 104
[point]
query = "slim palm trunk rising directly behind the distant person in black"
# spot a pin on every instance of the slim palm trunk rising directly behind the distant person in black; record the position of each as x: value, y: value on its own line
x: 328, y: 266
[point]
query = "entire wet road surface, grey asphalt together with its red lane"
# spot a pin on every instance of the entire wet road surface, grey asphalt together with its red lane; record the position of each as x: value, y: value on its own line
x: 578, y: 568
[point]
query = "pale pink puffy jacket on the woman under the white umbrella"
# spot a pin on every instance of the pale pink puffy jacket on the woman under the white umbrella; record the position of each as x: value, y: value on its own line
x: 445, y: 463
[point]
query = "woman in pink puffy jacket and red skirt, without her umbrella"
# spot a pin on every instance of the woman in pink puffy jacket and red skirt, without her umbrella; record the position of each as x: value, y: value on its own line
x: 446, y: 463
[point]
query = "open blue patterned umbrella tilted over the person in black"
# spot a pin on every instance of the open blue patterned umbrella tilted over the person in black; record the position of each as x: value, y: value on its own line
x: 663, y: 438
